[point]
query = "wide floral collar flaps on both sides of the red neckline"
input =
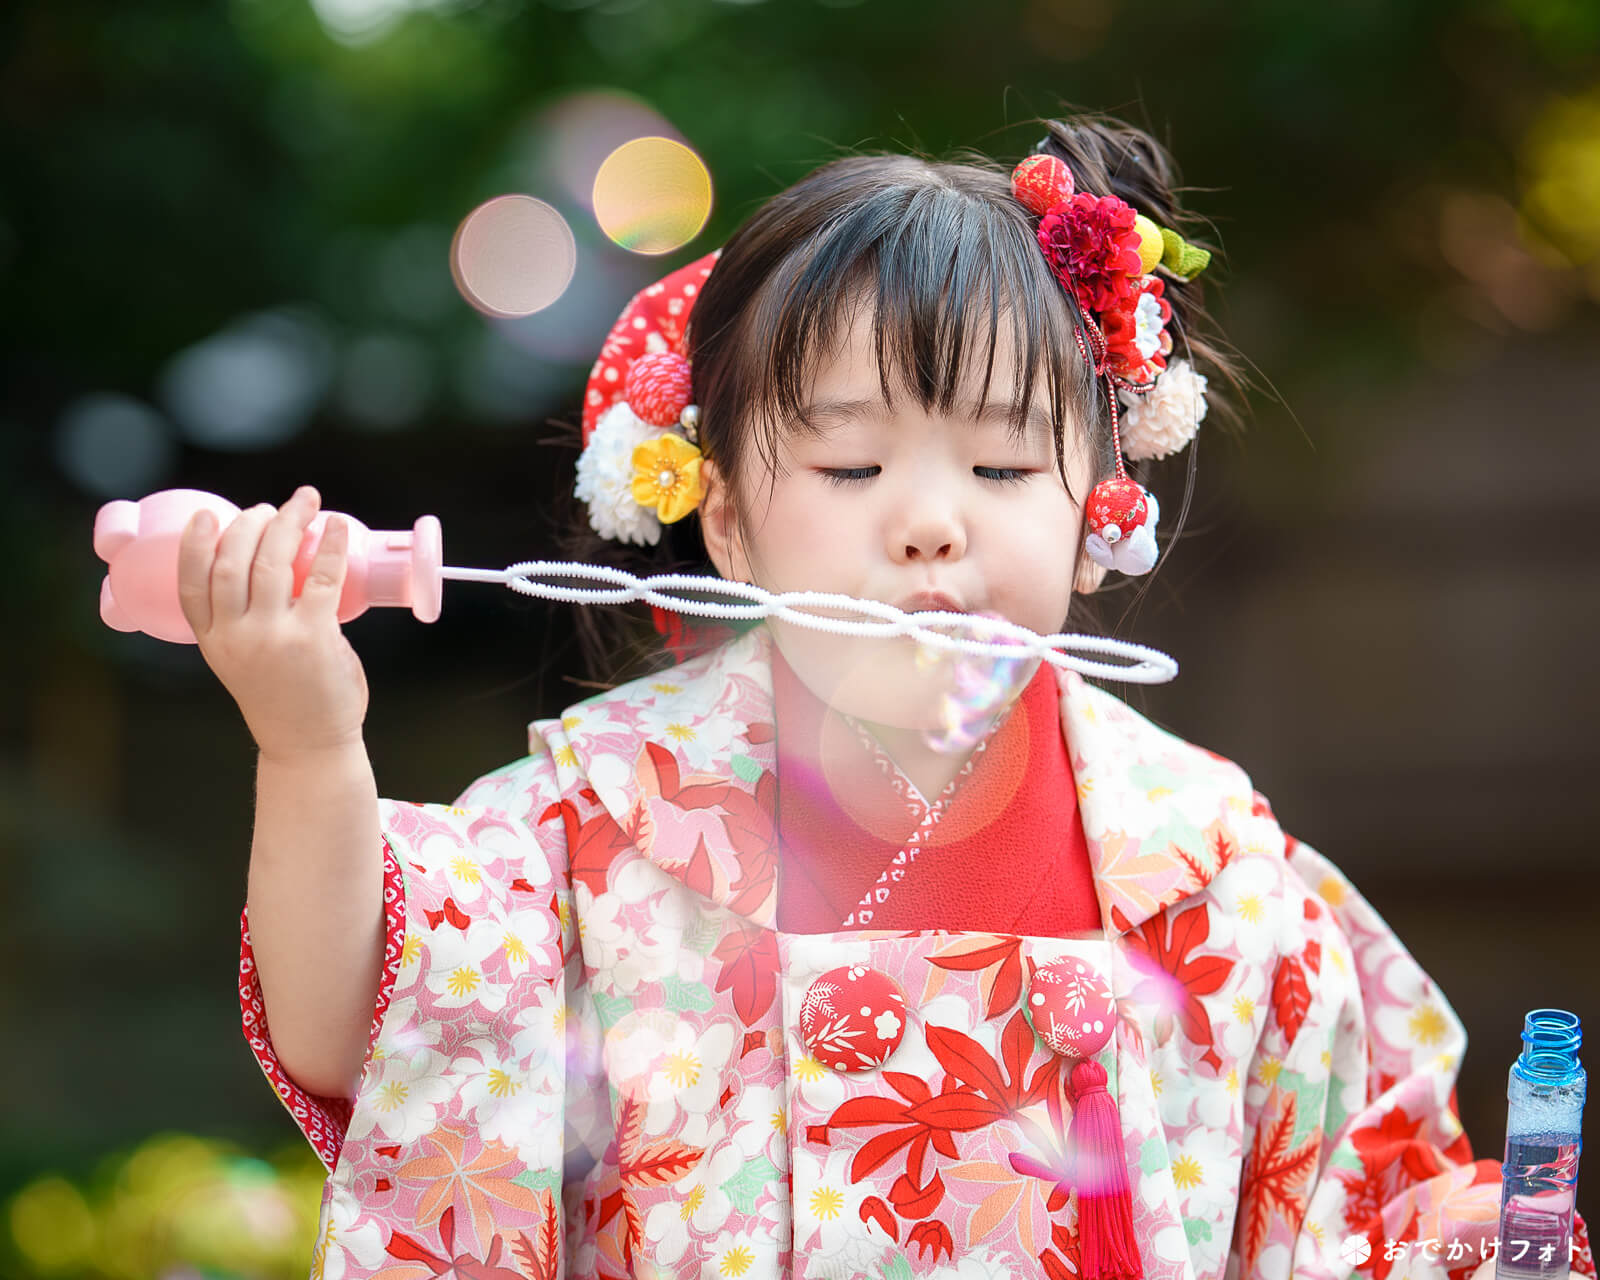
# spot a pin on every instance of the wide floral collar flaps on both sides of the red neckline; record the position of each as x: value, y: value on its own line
x: 684, y: 766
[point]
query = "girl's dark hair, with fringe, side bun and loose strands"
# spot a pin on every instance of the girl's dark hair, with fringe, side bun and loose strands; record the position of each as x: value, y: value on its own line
x: 945, y: 255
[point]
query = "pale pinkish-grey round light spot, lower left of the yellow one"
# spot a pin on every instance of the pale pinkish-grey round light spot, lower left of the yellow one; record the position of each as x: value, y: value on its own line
x: 513, y: 257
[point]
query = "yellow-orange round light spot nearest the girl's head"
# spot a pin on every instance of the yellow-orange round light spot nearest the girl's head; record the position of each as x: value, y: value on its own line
x: 652, y: 196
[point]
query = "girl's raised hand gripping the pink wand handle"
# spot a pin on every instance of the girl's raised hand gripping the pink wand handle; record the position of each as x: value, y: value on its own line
x: 284, y: 660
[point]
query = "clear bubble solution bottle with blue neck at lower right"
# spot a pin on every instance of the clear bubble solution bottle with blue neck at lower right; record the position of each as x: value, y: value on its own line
x: 1543, y: 1138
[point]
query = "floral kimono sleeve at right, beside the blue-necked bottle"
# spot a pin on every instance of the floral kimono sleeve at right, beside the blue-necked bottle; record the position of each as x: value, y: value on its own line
x: 1356, y: 1161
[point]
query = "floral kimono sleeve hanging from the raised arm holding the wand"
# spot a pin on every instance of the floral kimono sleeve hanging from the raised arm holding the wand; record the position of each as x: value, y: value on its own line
x: 471, y: 1033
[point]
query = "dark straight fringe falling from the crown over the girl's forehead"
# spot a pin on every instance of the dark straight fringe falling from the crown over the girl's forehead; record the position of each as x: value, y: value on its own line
x: 951, y: 270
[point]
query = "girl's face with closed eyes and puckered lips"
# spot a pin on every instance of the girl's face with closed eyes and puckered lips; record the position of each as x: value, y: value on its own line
x: 906, y: 508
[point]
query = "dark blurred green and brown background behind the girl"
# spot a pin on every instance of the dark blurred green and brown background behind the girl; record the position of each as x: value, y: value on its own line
x: 225, y: 257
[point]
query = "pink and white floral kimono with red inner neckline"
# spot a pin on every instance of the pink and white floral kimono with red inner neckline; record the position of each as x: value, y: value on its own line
x: 596, y: 1050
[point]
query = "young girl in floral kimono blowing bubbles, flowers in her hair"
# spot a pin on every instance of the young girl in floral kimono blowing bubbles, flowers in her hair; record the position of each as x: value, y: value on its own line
x: 735, y: 974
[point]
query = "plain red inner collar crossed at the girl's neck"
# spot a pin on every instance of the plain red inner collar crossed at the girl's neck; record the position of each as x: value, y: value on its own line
x: 1001, y: 850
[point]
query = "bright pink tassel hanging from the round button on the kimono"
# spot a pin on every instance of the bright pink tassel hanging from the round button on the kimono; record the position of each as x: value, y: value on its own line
x: 1108, y: 1249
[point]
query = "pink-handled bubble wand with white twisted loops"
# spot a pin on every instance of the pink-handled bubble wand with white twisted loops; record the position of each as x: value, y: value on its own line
x: 138, y: 542
